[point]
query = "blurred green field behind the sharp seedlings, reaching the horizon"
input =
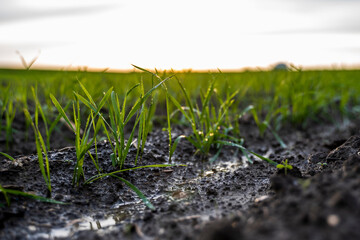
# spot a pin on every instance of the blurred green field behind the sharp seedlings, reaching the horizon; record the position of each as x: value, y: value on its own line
x: 294, y: 96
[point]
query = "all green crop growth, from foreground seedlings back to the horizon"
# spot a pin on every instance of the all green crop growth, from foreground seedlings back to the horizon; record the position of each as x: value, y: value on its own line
x: 206, y: 109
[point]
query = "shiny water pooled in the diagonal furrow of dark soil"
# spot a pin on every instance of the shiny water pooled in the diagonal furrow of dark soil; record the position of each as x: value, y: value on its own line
x: 121, y: 211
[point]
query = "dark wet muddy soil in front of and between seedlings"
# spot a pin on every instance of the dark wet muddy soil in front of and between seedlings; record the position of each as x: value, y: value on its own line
x: 228, y: 199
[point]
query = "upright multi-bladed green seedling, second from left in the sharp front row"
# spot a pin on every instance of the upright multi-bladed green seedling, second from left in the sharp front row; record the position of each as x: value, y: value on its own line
x: 82, y: 143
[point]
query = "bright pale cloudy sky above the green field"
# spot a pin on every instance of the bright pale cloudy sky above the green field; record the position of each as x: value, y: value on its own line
x: 186, y: 34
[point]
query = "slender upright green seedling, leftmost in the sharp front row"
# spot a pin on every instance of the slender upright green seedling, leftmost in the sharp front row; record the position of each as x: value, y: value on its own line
x: 40, y: 148
